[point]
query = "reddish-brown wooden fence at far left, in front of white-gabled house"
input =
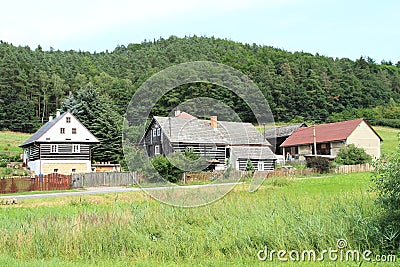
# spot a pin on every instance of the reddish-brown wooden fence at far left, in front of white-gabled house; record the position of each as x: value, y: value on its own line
x: 52, y: 181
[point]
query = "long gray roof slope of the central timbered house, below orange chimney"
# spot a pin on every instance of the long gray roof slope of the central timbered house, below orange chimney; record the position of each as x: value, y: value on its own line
x: 194, y: 130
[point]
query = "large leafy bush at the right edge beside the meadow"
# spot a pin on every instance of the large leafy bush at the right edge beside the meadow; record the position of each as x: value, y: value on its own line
x: 387, y: 186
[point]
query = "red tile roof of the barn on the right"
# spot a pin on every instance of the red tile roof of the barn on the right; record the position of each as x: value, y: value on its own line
x: 324, y: 133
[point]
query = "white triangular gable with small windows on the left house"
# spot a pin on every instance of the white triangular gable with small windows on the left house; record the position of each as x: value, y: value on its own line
x: 68, y: 129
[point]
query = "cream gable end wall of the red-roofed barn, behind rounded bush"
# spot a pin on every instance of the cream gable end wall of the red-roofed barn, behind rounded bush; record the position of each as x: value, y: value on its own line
x: 364, y: 137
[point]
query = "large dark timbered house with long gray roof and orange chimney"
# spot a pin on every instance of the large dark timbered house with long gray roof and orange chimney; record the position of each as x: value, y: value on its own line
x: 220, y: 142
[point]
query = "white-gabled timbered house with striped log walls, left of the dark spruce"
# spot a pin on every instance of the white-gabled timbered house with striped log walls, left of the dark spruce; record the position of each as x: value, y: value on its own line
x: 62, y: 145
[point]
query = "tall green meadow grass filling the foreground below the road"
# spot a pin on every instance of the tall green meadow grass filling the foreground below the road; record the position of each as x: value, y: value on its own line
x: 133, y: 229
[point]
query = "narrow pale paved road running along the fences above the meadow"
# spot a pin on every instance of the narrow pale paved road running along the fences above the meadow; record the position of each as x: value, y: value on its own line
x: 105, y: 190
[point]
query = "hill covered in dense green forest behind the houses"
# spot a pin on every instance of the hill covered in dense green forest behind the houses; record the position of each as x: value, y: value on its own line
x: 298, y: 86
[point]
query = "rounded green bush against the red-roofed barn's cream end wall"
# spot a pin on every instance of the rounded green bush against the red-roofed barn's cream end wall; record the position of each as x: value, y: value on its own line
x: 351, y: 155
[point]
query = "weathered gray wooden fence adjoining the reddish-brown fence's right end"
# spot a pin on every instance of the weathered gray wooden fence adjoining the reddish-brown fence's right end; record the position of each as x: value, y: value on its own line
x: 96, y: 179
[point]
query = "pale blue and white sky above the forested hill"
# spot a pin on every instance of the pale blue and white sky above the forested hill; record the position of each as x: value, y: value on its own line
x: 334, y: 28
